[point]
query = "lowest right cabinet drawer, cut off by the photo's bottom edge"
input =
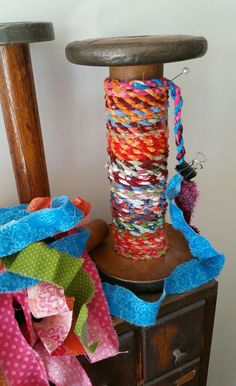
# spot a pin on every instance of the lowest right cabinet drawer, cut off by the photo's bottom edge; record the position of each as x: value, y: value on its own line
x: 187, y: 375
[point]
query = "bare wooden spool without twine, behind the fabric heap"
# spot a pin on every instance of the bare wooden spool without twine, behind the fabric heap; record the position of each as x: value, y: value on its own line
x: 19, y: 106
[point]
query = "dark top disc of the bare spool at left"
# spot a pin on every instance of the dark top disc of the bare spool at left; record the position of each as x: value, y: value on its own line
x: 25, y: 32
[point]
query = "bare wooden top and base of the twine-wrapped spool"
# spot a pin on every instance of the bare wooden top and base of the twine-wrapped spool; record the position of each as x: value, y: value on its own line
x: 138, y: 58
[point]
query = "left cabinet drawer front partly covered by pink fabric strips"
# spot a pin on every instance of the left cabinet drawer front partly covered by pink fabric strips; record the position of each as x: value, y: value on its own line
x: 116, y: 371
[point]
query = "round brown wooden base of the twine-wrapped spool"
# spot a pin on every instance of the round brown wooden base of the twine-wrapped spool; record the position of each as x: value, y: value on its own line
x: 141, y: 276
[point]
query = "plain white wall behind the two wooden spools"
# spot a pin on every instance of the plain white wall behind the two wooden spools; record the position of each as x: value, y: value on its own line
x: 71, y: 107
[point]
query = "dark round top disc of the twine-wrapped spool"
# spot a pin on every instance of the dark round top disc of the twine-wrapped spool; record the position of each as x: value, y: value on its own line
x: 136, y: 50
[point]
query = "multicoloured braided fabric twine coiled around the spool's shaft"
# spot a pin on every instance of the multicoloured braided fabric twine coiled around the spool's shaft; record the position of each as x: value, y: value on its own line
x: 137, y: 136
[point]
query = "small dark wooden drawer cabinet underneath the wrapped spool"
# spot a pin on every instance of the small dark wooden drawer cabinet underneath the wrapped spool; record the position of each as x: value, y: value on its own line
x: 173, y: 352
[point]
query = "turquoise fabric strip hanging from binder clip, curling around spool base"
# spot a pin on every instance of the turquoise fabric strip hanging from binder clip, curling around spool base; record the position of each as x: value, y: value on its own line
x: 205, y: 266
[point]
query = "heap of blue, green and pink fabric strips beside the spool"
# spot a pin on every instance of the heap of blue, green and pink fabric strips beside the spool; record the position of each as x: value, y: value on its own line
x: 52, y: 307
